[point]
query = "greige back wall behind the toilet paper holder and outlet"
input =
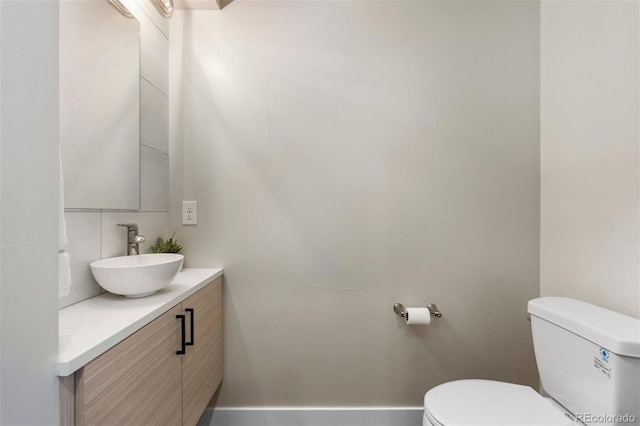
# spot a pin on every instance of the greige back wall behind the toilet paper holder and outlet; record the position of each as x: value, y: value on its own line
x: 349, y: 155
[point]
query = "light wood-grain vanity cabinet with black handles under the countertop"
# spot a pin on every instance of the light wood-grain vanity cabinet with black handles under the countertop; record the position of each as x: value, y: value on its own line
x: 163, y: 374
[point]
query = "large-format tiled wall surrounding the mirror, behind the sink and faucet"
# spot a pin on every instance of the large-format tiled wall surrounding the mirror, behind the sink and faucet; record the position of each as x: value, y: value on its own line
x: 94, y: 234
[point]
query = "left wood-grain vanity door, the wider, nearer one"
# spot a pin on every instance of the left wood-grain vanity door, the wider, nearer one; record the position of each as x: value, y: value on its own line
x: 137, y: 382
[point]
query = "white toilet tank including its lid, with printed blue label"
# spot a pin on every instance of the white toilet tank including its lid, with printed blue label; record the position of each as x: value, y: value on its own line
x: 588, y: 358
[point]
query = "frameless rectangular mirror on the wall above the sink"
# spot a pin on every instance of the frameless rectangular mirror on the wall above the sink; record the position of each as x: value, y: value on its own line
x: 99, y: 106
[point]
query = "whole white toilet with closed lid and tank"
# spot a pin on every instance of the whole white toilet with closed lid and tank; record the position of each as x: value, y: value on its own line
x: 589, y: 363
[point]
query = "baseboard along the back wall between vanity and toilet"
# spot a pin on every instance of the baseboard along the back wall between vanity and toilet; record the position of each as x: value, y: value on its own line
x: 313, y: 416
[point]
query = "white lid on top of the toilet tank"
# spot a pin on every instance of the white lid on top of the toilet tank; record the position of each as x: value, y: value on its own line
x: 613, y: 331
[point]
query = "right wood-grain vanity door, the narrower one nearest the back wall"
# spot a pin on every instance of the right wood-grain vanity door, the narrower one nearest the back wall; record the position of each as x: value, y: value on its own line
x: 202, y: 364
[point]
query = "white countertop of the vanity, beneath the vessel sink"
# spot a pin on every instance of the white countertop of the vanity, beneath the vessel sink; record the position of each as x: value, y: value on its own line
x: 91, y: 327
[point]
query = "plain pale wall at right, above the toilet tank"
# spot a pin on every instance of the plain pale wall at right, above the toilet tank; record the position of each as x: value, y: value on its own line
x: 590, y: 233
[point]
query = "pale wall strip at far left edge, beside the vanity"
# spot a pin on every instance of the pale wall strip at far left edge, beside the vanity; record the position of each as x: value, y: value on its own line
x: 29, y: 213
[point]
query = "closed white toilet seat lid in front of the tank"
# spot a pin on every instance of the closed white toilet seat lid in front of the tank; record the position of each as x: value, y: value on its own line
x: 490, y: 403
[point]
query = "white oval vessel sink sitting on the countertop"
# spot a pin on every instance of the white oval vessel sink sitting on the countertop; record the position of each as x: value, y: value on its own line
x: 137, y: 276
